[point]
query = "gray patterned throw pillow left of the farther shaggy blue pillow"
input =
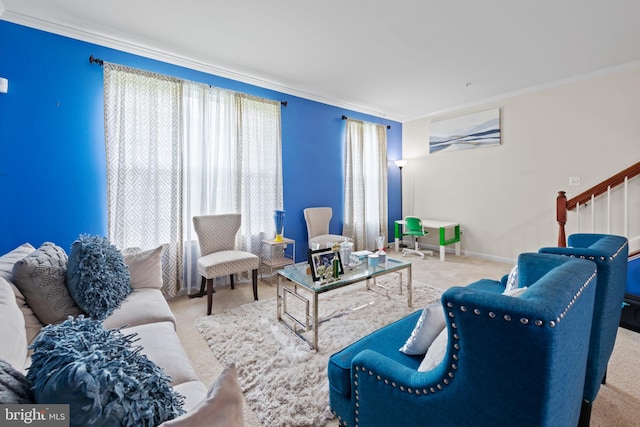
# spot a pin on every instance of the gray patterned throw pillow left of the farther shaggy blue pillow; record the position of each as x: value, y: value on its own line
x: 41, y: 277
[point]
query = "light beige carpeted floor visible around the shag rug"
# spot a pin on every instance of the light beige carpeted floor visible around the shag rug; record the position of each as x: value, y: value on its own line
x: 618, y: 402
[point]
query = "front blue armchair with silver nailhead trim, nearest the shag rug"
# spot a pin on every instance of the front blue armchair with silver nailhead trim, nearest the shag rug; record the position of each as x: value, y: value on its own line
x: 509, y: 361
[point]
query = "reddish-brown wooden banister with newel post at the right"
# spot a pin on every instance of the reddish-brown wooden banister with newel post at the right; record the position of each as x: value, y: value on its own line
x: 563, y: 205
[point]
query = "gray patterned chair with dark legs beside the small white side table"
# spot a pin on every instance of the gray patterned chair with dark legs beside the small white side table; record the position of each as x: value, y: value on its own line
x: 218, y: 254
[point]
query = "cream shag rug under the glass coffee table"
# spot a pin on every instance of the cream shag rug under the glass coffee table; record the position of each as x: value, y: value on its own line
x: 283, y: 380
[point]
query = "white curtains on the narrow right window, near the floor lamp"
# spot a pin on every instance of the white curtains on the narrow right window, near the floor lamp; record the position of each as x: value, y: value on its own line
x: 365, y: 196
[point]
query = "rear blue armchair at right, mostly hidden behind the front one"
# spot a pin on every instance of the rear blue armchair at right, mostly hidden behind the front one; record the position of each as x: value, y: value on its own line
x: 610, y: 255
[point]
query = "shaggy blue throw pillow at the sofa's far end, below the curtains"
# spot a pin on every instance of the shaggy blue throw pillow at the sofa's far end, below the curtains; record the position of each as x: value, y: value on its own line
x: 97, y: 276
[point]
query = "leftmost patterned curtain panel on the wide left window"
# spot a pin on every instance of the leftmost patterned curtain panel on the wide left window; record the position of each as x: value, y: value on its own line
x: 144, y: 152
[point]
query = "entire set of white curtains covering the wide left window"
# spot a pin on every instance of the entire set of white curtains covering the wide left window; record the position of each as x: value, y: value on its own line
x: 176, y: 149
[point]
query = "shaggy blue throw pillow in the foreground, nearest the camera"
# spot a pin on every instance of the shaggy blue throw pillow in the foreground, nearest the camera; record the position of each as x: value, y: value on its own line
x: 104, y: 379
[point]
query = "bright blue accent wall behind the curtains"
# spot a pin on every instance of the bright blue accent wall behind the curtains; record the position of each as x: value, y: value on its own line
x: 52, y: 157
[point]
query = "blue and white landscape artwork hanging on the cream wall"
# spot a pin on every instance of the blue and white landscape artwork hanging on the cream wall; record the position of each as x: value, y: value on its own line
x: 474, y: 130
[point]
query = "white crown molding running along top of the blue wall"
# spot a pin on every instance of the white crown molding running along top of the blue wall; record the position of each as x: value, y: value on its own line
x: 154, y: 52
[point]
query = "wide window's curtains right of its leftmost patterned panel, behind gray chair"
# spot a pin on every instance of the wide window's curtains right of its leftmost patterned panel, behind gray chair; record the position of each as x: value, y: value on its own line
x: 233, y: 163
